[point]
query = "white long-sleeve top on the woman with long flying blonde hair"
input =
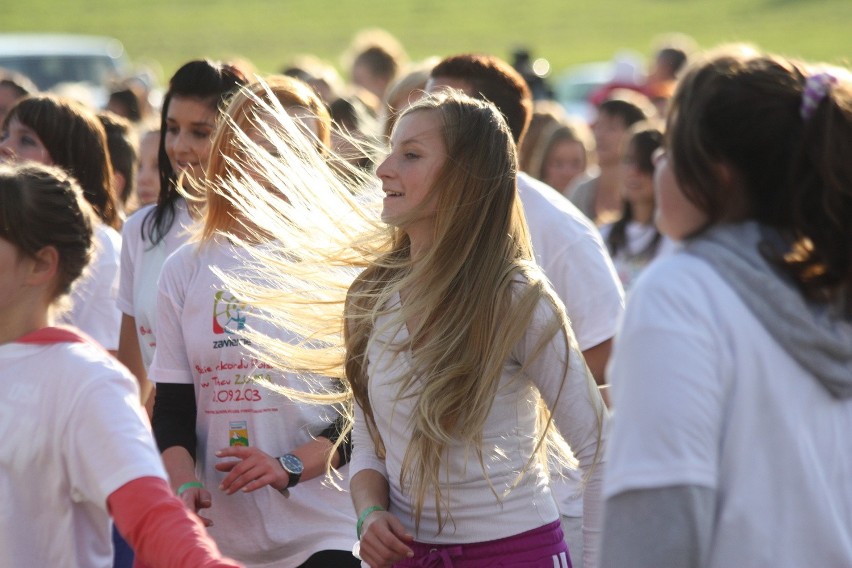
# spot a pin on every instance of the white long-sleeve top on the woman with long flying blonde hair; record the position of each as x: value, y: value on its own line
x: 483, y: 504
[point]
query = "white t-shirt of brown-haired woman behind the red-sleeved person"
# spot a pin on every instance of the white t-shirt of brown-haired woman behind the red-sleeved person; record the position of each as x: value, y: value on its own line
x: 94, y: 294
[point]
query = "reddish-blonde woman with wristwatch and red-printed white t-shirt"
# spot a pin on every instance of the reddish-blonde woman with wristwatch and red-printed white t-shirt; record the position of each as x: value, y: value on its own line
x: 249, y: 460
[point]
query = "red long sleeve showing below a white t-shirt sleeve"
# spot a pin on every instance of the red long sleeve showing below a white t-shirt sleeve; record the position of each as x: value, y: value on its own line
x: 161, y: 531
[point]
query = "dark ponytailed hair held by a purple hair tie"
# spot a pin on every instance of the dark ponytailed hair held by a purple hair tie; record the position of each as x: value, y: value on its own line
x: 739, y: 109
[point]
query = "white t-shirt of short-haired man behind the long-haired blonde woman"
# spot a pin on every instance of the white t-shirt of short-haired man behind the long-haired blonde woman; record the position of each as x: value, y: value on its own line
x: 569, y: 249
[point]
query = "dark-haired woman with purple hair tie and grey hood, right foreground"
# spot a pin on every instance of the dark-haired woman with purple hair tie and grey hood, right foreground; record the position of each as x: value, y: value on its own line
x: 732, y: 372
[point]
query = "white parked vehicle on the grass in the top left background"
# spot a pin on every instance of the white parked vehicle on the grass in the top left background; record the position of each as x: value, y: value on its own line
x: 50, y: 60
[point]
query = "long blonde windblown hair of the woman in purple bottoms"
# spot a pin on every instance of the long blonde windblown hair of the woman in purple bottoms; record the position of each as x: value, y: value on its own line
x: 469, y: 298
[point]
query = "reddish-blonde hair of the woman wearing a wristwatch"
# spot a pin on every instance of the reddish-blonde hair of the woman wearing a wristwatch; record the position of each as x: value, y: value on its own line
x: 250, y: 110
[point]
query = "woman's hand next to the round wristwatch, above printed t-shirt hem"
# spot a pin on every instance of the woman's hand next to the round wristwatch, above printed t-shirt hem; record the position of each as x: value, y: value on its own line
x: 252, y: 470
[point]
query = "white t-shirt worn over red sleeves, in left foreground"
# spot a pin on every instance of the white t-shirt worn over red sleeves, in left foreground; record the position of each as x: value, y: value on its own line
x: 73, y: 433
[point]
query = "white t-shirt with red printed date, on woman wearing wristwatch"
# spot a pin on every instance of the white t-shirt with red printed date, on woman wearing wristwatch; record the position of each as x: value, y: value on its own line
x: 200, y: 342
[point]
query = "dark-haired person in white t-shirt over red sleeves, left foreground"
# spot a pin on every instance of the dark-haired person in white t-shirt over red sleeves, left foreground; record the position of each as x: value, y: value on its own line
x: 59, y: 392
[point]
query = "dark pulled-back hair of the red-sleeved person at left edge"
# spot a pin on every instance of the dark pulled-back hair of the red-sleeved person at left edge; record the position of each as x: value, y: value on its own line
x: 43, y: 206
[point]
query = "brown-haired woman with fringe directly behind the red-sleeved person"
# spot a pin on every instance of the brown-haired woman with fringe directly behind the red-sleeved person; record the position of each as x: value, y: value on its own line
x: 55, y: 131
